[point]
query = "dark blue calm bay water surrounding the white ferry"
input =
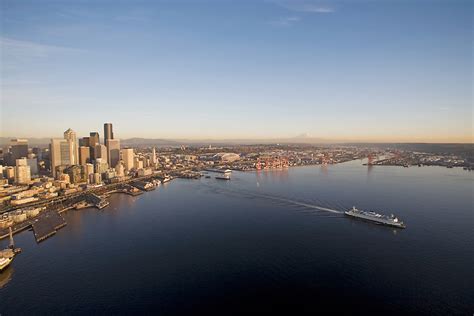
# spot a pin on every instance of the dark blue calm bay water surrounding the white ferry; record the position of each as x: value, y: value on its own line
x: 260, y: 243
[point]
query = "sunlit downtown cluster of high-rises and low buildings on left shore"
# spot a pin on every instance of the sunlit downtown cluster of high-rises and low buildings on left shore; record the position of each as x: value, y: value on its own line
x: 67, y: 165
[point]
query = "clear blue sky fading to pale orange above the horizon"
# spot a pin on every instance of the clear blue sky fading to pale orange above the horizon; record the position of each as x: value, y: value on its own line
x: 338, y: 70
